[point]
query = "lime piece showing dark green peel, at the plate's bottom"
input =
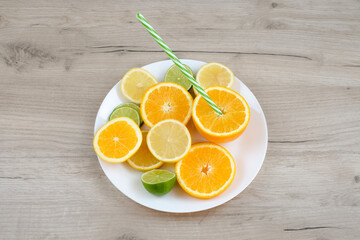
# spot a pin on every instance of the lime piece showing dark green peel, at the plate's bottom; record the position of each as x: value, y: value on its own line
x: 158, y: 181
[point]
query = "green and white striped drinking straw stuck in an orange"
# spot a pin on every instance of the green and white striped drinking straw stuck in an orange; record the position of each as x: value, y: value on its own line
x: 177, y: 62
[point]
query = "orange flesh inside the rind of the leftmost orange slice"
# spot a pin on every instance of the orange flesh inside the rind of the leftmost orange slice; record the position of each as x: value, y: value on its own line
x: 117, y: 139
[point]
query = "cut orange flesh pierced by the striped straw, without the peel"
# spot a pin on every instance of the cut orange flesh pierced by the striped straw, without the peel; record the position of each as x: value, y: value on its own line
x: 234, y: 112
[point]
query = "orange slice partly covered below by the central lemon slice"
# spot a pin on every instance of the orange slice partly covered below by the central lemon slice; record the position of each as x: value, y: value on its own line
x: 166, y: 101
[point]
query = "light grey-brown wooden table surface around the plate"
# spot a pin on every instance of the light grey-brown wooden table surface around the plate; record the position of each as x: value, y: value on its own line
x: 58, y: 60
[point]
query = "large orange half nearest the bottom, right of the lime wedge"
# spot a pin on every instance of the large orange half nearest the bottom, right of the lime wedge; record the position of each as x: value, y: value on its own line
x: 206, y: 171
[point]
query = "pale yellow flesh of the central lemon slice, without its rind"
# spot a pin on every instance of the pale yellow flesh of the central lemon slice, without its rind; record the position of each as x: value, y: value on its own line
x: 169, y: 140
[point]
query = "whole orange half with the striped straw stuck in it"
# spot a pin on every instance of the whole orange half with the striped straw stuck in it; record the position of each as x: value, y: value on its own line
x: 224, y: 128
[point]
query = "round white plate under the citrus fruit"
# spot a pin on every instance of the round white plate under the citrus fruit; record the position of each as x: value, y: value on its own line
x: 248, y: 151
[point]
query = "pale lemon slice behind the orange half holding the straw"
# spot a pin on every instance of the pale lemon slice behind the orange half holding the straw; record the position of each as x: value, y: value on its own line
x: 214, y: 74
